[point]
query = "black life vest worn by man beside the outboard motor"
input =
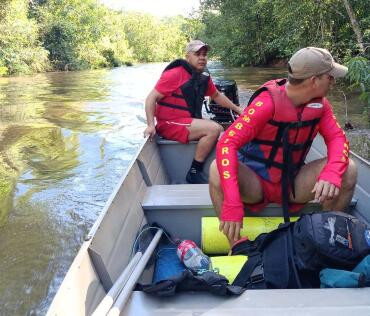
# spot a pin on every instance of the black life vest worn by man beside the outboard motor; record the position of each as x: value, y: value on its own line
x: 193, y: 91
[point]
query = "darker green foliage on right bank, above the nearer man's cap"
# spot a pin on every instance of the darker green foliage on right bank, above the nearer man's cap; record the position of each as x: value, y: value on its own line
x: 254, y: 32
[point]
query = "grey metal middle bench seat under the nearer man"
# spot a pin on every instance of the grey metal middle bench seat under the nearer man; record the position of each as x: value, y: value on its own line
x: 180, y: 207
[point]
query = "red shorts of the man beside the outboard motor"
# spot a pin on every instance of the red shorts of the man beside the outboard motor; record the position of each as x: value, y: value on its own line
x: 176, y: 129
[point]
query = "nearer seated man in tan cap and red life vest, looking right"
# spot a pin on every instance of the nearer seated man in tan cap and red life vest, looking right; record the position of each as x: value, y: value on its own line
x: 277, y: 129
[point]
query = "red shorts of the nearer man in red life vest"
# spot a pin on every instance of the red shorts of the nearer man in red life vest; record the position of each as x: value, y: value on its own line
x: 272, y: 194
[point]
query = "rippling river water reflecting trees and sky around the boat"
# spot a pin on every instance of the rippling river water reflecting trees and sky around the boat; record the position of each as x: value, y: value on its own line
x: 65, y: 140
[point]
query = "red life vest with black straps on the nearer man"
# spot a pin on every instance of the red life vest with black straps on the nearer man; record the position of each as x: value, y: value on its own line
x: 282, y: 149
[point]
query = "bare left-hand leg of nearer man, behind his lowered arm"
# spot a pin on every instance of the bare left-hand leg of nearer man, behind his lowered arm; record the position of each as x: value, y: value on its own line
x: 249, y: 187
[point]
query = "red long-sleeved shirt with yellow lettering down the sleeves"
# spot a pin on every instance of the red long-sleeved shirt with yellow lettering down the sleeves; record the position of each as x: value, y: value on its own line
x: 253, y: 124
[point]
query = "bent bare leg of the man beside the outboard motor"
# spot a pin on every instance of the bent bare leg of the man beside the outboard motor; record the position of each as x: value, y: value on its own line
x: 207, y: 133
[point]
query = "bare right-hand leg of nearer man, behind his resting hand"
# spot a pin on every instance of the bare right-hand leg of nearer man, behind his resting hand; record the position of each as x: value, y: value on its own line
x: 307, y: 178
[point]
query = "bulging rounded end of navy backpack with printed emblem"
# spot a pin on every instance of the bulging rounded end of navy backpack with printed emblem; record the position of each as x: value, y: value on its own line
x: 330, y: 239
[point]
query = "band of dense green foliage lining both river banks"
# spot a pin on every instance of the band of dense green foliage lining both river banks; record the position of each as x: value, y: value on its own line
x: 41, y: 35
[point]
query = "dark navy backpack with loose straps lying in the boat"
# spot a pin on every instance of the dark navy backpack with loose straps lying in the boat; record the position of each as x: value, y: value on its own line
x: 293, y: 255
